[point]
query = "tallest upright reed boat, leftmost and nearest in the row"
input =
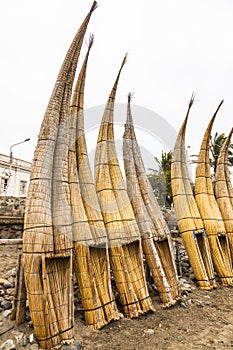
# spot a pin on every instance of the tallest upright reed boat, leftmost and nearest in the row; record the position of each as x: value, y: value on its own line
x: 47, y: 238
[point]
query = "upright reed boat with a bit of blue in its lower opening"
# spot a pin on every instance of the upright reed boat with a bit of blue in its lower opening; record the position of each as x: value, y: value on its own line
x: 188, y: 217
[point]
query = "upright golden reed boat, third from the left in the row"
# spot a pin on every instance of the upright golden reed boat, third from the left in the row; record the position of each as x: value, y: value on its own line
x: 123, y: 233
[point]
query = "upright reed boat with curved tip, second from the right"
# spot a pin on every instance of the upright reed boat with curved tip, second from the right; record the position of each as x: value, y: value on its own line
x: 210, y: 213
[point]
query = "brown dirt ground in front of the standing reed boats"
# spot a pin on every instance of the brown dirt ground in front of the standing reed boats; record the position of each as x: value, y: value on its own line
x: 206, y: 322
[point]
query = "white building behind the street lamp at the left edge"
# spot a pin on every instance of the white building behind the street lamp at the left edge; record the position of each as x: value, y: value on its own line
x: 14, y: 176
